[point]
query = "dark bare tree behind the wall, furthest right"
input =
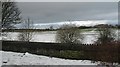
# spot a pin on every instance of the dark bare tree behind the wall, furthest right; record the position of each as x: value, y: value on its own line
x: 106, y: 34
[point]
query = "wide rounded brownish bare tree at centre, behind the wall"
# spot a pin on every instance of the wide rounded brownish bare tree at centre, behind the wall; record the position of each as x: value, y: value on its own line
x: 68, y: 34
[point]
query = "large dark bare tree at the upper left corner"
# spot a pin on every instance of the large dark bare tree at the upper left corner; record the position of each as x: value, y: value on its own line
x: 10, y: 14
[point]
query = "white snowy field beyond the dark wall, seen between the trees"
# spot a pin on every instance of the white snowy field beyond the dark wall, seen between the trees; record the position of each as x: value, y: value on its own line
x: 50, y: 36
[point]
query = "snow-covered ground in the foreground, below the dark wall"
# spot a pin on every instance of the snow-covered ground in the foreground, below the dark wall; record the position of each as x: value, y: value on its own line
x: 12, y: 58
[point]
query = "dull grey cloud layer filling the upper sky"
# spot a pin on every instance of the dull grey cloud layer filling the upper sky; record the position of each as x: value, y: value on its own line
x: 46, y: 12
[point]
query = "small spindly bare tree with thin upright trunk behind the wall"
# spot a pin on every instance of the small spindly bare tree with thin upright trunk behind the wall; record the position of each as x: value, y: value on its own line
x: 27, y: 34
